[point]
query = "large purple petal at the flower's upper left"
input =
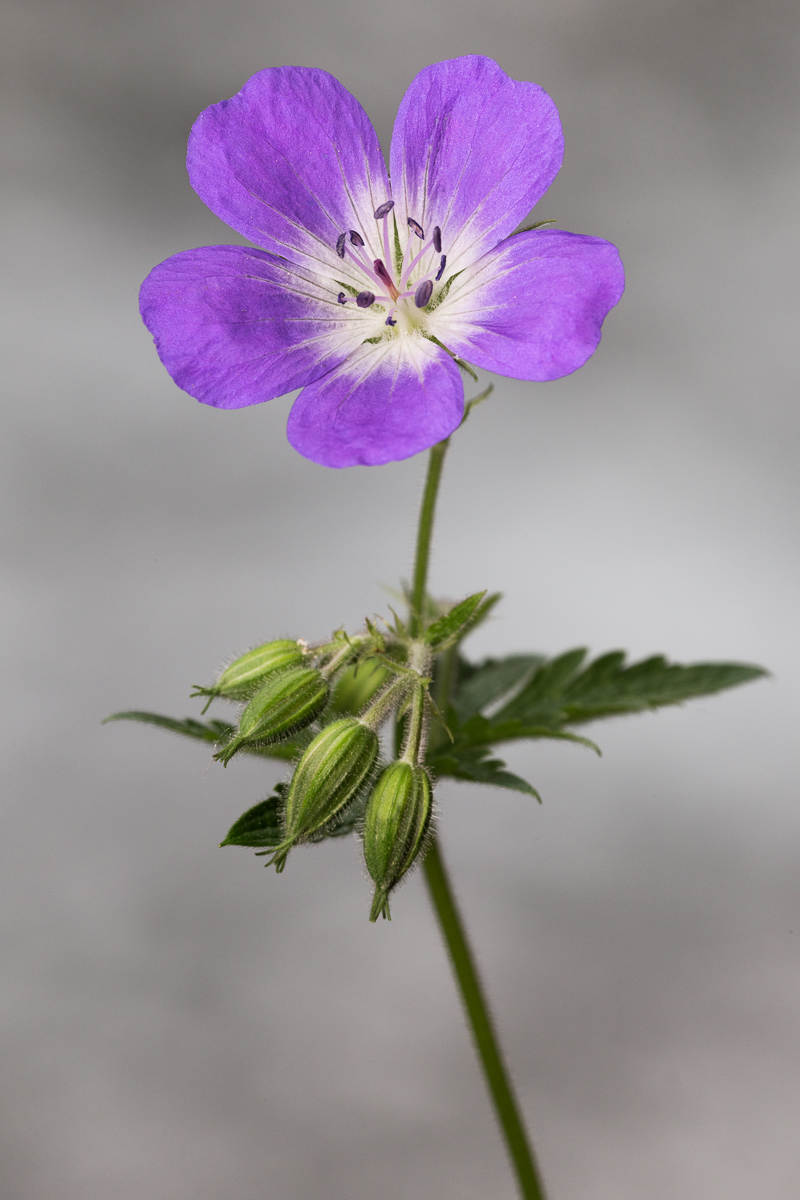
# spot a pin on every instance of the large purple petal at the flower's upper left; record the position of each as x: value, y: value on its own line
x: 291, y: 163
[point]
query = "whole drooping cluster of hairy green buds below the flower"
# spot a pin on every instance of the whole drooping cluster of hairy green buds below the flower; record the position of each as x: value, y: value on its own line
x: 336, y: 697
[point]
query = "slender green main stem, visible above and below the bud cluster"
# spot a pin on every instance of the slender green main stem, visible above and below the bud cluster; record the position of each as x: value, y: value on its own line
x: 444, y: 902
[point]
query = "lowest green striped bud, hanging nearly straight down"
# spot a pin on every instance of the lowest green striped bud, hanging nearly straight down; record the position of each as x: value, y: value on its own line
x: 395, y: 825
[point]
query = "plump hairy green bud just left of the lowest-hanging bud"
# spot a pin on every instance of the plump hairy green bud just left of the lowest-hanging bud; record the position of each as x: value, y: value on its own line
x: 330, y: 773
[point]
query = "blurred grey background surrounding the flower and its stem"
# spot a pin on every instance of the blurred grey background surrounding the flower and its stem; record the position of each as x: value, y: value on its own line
x: 179, y: 1024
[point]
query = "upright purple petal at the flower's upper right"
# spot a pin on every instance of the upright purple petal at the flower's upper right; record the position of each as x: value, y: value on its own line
x: 472, y: 153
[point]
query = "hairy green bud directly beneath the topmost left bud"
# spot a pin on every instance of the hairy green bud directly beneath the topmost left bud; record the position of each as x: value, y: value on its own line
x: 287, y: 703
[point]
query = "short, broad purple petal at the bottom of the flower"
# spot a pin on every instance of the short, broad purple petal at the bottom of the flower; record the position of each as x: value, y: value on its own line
x: 387, y: 403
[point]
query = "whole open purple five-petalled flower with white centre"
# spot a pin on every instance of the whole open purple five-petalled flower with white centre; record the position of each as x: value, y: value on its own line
x: 365, y: 291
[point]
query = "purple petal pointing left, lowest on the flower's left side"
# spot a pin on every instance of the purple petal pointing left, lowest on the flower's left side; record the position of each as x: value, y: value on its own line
x: 237, y: 327
